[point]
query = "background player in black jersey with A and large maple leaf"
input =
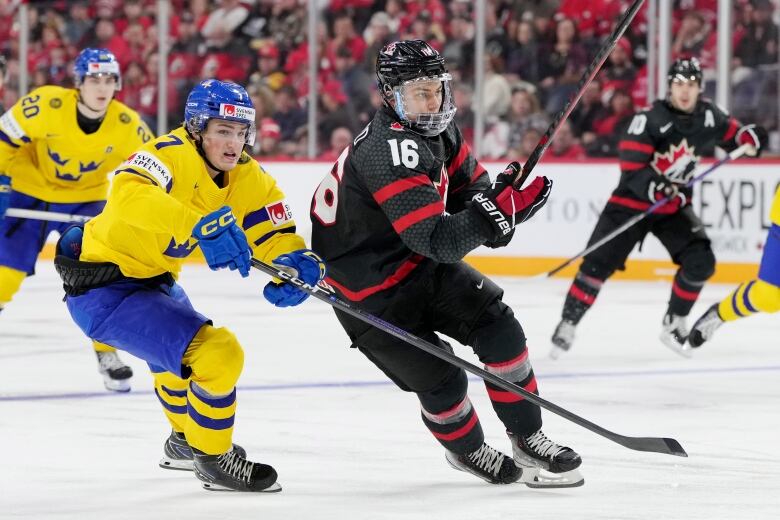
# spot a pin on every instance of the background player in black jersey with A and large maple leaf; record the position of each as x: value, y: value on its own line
x: 658, y: 155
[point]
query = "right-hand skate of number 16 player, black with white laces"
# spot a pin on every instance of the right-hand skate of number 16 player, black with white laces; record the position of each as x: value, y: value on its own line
x: 545, y: 464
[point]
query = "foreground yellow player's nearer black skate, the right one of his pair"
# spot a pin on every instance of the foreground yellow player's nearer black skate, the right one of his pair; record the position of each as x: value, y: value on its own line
x: 232, y: 472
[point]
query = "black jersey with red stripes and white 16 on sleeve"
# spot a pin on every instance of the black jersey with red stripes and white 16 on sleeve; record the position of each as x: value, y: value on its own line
x: 394, y: 205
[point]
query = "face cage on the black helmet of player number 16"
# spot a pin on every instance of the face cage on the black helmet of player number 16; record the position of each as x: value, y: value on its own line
x: 428, y: 124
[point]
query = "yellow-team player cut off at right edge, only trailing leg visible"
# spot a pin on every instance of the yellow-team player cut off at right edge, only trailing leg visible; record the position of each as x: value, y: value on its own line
x: 761, y: 294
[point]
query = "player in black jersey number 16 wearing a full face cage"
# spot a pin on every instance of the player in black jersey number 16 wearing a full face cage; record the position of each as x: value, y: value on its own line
x: 393, y: 219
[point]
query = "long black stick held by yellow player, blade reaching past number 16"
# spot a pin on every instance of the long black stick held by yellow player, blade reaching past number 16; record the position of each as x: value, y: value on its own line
x: 653, y: 444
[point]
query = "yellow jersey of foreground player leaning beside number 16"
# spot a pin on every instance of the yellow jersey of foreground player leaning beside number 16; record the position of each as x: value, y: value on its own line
x: 160, y: 193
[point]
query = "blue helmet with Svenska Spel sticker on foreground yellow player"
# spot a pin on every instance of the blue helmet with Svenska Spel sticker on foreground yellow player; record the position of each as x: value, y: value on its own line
x: 215, y: 99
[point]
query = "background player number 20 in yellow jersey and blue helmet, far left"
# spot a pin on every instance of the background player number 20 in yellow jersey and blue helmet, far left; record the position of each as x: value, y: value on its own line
x: 57, y: 146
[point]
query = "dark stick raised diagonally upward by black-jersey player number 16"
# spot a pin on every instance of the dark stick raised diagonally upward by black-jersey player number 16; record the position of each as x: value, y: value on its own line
x: 587, y: 77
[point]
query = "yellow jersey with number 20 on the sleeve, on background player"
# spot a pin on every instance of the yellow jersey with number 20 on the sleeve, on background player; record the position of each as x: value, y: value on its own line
x: 49, y: 157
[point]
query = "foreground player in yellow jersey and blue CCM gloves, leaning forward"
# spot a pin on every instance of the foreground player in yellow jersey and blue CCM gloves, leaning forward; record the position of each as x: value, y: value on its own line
x: 192, y: 188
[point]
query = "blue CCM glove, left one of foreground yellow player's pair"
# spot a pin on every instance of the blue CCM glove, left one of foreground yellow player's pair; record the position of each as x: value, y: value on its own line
x: 223, y: 242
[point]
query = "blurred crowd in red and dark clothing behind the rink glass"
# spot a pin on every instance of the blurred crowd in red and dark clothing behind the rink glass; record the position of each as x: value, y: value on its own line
x: 536, y: 52
